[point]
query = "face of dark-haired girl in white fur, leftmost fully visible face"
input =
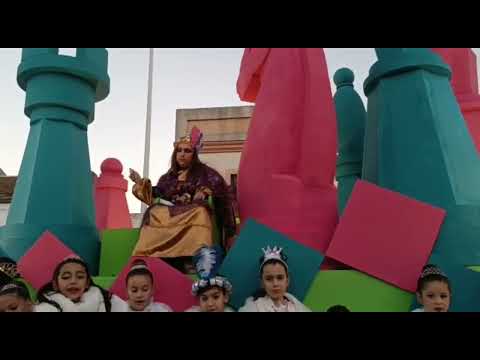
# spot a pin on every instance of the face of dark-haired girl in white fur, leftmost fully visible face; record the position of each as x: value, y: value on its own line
x: 72, y: 281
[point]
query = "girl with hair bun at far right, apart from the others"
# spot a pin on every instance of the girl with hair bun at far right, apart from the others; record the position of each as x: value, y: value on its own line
x: 434, y: 291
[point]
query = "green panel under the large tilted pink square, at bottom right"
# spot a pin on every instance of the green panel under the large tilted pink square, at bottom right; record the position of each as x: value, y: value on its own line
x: 356, y: 291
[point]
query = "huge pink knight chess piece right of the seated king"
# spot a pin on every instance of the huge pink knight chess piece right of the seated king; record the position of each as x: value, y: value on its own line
x: 287, y: 167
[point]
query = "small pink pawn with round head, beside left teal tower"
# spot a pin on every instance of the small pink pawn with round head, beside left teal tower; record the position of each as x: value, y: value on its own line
x: 110, y: 200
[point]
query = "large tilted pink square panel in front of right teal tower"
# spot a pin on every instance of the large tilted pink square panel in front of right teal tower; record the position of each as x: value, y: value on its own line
x: 386, y: 235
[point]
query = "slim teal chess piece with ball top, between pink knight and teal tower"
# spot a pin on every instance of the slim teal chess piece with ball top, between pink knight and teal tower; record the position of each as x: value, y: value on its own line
x: 351, y: 118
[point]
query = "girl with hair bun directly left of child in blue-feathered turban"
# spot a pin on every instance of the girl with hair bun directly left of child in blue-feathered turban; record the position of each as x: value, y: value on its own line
x: 140, y: 289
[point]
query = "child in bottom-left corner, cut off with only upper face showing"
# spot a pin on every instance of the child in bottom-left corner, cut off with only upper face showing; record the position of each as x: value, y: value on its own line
x: 15, y: 297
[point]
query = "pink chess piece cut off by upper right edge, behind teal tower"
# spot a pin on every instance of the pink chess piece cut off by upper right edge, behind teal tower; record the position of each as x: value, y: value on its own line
x: 463, y: 62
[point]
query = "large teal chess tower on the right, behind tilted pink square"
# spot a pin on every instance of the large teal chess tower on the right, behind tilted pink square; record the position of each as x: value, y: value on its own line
x: 417, y: 143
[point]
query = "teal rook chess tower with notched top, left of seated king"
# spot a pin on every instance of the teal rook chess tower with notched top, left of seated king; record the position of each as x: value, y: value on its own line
x: 54, y: 188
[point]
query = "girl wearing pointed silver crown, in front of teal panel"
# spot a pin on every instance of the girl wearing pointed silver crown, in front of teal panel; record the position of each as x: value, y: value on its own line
x: 273, y: 297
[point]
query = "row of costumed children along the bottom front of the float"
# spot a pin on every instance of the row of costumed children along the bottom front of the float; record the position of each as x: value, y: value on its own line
x: 72, y: 288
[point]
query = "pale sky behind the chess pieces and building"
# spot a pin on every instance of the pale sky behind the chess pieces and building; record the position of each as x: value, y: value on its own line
x: 183, y: 79
